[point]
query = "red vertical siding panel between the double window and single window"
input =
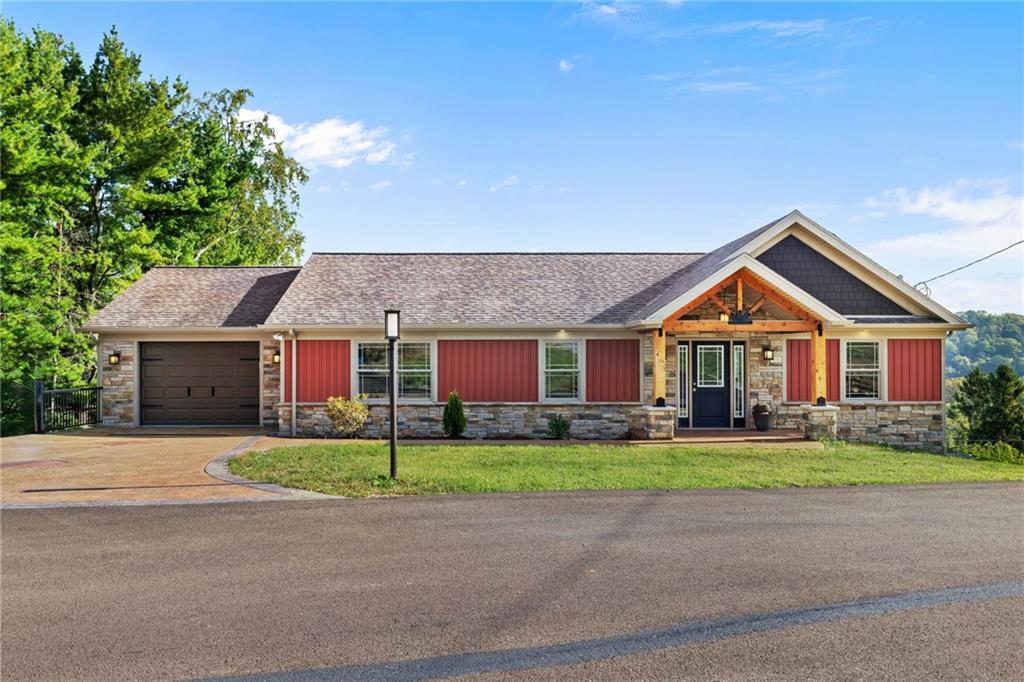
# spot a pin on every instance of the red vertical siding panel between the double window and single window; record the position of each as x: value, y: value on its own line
x: 488, y: 371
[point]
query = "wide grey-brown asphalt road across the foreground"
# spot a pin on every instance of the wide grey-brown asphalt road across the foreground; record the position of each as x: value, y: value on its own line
x: 847, y: 584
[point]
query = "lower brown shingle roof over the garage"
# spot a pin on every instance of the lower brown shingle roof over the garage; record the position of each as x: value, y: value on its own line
x: 184, y: 297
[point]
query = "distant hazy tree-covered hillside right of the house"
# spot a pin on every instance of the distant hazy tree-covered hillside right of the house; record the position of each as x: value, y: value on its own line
x: 997, y: 339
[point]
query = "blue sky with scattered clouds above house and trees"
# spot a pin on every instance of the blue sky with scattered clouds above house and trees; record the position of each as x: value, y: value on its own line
x: 625, y: 126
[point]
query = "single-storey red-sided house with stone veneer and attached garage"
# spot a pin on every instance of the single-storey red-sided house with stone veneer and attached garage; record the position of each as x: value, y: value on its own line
x: 642, y: 345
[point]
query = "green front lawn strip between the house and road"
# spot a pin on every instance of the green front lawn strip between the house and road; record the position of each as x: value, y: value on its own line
x: 360, y: 470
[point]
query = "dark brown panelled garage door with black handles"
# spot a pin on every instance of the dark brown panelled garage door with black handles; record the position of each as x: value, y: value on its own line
x: 200, y: 383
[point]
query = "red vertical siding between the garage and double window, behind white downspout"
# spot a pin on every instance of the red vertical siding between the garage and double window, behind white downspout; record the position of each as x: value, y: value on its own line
x: 323, y: 371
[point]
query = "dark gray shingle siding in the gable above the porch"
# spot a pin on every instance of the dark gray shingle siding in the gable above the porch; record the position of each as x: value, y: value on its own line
x: 827, y: 281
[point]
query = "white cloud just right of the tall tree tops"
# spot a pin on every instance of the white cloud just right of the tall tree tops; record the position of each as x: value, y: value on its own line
x: 334, y: 142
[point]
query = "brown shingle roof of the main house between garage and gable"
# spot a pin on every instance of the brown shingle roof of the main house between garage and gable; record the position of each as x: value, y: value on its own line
x: 478, y: 289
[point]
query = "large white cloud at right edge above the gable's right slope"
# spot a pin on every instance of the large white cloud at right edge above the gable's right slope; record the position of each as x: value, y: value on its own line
x: 987, y: 215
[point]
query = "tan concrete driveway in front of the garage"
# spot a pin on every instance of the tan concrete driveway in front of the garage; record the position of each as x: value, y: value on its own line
x: 119, y: 466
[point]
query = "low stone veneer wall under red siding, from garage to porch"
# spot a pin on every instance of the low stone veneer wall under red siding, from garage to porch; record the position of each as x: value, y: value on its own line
x: 592, y: 421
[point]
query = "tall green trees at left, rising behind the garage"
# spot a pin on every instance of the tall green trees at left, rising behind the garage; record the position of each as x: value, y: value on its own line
x: 106, y: 173
